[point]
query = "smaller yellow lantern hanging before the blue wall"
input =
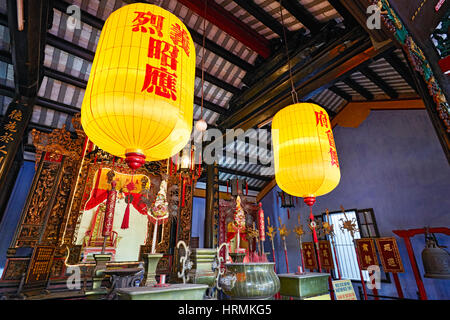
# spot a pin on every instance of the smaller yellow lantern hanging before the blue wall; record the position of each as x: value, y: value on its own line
x: 306, y: 163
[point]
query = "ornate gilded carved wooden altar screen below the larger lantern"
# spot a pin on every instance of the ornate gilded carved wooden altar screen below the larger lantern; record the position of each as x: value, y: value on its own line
x: 65, y: 167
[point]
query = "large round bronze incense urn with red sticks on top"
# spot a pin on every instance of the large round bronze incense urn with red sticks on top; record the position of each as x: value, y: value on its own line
x: 247, y: 281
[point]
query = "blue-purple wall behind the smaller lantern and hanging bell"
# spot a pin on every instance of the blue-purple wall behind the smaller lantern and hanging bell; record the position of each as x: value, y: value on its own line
x: 393, y: 163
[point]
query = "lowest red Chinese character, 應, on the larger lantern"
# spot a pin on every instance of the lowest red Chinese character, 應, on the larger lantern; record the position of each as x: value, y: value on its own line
x: 160, y: 81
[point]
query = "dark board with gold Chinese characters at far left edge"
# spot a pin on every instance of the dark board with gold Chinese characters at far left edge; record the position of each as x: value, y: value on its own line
x: 12, y: 130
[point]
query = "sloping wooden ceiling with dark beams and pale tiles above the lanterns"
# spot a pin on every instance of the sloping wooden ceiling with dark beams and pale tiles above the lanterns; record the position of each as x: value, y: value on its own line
x: 246, y: 73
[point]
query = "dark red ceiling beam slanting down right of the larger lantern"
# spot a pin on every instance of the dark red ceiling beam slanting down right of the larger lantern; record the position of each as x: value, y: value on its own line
x: 230, y: 24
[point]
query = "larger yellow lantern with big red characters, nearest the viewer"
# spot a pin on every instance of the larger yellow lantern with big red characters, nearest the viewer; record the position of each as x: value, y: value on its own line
x: 140, y: 95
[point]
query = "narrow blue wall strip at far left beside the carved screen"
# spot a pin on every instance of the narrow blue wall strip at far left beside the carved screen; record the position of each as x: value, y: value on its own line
x: 14, y: 209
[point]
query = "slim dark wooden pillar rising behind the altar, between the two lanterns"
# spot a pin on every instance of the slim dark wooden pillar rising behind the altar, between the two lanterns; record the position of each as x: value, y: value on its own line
x: 211, y: 189
